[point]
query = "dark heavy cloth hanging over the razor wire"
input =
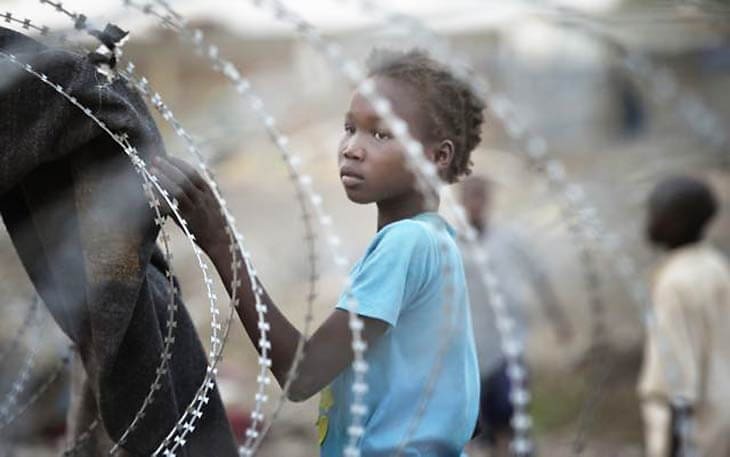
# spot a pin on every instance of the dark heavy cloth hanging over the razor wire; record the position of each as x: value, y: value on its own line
x: 82, y: 227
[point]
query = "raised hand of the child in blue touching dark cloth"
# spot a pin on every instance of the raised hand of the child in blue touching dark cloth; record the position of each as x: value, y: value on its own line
x: 196, y: 202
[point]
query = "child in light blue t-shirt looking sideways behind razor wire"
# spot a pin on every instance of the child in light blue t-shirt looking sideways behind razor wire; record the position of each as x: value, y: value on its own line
x: 398, y: 283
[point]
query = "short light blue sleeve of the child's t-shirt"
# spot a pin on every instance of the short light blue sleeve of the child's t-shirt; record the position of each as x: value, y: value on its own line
x: 396, y: 266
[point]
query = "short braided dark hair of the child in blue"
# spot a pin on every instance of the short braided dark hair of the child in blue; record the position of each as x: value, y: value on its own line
x: 455, y: 111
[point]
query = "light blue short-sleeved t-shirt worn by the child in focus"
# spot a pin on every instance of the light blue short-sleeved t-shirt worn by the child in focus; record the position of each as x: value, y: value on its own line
x: 401, y: 280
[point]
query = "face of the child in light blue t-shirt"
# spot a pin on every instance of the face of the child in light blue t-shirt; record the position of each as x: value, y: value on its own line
x: 371, y: 161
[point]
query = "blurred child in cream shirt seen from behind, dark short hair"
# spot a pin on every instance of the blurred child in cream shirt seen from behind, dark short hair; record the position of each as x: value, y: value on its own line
x: 686, y: 367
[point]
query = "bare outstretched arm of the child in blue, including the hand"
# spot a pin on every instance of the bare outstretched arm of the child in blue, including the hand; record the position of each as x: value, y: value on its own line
x: 326, y: 353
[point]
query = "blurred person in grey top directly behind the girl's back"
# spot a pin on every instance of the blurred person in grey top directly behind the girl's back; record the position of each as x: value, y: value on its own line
x: 524, y: 285
